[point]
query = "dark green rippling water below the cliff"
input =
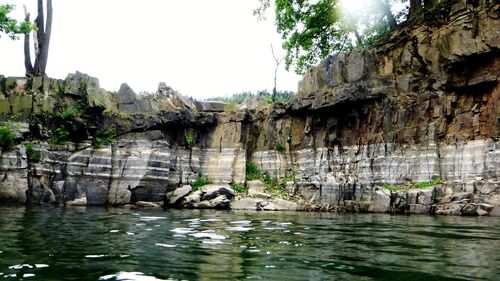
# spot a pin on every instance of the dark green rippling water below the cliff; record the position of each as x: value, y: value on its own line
x: 118, y: 244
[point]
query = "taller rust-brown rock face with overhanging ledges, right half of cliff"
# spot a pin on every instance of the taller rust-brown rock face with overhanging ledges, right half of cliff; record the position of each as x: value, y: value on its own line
x: 423, y: 106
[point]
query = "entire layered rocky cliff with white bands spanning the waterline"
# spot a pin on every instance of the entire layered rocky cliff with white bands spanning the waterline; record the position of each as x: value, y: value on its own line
x: 365, y: 129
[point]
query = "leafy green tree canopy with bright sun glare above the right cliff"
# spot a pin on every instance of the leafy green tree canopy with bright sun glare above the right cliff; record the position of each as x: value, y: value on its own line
x: 313, y: 29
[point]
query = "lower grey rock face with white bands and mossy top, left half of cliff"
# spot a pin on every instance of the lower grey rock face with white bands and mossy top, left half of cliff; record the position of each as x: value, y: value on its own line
x: 159, y: 141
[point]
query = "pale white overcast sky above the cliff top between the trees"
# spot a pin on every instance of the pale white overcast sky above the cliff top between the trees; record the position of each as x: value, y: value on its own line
x: 198, y: 47
